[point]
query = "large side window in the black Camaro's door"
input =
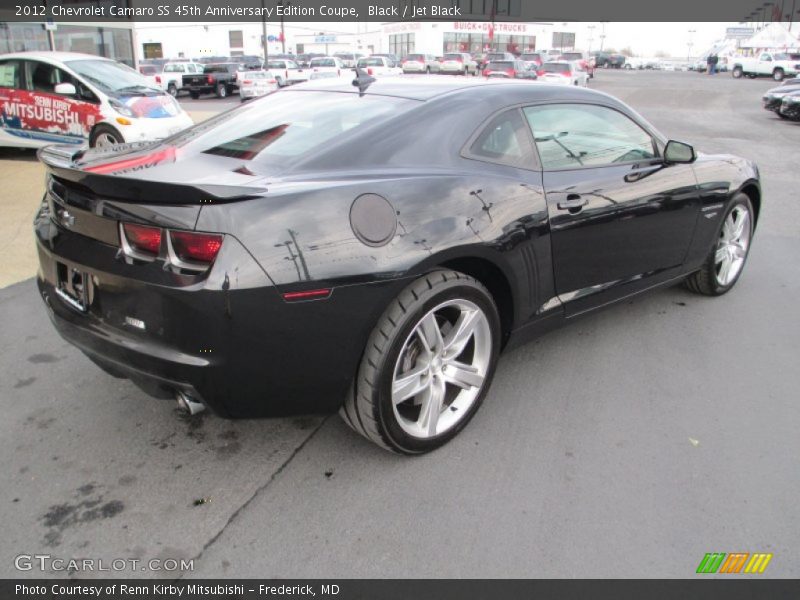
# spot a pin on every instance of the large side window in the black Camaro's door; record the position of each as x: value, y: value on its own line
x: 584, y: 135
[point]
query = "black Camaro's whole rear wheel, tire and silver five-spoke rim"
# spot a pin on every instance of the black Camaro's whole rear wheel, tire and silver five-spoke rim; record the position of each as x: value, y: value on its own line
x: 427, y: 365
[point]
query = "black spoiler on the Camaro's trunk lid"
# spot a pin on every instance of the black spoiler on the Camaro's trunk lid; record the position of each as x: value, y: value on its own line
x: 60, y: 161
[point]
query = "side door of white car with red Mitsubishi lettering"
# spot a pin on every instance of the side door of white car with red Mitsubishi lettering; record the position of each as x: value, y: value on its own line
x: 54, y: 117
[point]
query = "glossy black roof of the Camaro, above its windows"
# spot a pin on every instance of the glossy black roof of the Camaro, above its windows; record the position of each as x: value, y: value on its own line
x: 427, y: 87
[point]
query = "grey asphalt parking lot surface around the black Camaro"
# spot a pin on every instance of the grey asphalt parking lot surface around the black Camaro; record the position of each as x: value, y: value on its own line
x: 627, y: 445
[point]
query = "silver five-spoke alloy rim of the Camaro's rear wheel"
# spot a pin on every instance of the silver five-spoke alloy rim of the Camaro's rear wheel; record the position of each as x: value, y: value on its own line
x: 441, y: 368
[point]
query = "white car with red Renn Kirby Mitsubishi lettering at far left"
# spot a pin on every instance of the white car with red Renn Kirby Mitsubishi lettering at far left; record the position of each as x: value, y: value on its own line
x: 65, y: 97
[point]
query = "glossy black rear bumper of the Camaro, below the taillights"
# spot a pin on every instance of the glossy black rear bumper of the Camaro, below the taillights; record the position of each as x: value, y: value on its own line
x: 228, y: 339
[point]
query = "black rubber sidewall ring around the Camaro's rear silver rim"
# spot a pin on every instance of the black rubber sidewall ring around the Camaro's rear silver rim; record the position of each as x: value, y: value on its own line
x: 399, y: 438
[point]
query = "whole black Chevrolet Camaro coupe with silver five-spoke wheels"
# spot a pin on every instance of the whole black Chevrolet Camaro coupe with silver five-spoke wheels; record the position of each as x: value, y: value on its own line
x: 374, y: 248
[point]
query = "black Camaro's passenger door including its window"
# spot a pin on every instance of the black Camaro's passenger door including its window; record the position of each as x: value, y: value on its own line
x: 621, y: 219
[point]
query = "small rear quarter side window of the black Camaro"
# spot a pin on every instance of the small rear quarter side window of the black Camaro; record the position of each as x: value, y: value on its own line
x: 505, y: 141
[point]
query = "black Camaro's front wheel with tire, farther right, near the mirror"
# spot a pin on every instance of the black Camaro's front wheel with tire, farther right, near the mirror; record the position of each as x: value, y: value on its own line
x: 728, y: 256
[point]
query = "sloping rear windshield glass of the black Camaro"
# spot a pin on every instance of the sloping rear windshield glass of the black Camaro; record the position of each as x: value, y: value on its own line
x: 286, y: 126
